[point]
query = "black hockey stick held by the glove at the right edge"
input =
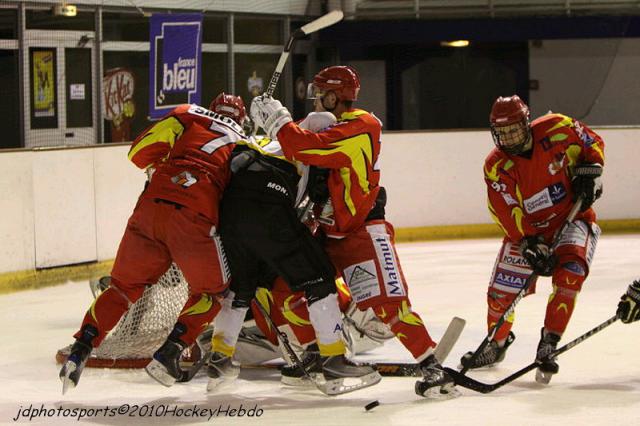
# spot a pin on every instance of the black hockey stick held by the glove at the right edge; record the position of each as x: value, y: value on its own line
x: 469, y: 383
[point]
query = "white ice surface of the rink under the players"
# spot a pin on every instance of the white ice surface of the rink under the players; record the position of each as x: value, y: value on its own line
x: 598, y: 383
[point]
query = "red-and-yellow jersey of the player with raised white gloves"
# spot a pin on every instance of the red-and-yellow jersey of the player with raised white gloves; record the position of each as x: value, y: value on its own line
x: 350, y: 149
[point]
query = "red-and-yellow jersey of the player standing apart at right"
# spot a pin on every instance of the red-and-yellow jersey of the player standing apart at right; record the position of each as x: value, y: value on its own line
x: 532, y: 195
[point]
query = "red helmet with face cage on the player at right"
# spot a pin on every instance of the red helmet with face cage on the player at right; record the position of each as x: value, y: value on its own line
x: 510, y: 126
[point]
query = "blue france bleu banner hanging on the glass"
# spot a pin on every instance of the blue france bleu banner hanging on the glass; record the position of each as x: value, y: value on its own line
x: 175, y: 65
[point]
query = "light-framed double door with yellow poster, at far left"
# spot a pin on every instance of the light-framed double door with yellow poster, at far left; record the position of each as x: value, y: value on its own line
x: 60, y: 106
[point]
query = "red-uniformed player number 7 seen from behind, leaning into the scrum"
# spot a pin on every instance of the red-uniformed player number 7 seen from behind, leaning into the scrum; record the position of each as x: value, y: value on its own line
x: 187, y: 156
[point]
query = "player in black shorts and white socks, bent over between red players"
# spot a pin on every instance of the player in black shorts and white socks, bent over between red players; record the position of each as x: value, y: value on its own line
x: 264, y: 237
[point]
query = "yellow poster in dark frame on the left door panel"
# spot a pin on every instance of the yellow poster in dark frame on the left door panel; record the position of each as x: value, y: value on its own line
x: 44, y: 111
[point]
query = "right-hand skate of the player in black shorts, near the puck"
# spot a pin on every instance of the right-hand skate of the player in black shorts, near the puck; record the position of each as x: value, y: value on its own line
x: 342, y: 376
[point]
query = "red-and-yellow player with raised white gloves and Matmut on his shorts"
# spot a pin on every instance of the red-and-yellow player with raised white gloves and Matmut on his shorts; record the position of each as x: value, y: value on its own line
x: 360, y: 242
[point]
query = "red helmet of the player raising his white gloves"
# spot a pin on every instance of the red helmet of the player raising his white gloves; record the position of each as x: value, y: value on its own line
x: 342, y: 80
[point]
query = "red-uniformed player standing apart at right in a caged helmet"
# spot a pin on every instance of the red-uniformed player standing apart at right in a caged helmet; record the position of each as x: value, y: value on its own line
x: 534, y: 176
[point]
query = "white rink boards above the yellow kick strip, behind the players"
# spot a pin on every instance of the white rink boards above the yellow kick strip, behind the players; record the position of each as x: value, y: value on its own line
x: 75, y: 203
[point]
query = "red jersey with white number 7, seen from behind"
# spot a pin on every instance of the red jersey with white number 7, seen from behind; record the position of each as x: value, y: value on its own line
x: 189, y: 150
